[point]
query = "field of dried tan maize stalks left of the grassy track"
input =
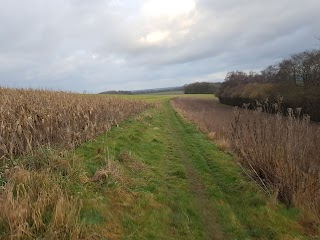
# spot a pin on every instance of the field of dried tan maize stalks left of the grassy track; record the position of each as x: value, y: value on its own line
x: 33, y: 118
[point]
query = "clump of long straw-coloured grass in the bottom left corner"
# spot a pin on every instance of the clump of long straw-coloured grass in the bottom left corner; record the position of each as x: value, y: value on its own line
x: 34, y: 205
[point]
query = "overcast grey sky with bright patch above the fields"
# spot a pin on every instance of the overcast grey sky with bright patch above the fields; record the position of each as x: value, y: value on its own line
x: 97, y: 45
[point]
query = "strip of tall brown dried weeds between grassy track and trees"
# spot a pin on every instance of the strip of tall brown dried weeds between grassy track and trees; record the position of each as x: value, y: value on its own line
x: 282, y: 153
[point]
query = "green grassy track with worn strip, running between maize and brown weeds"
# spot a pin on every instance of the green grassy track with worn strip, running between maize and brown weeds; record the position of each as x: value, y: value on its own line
x: 172, y: 183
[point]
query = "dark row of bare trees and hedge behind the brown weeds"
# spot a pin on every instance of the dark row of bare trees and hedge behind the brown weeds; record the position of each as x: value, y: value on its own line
x: 296, y: 80
